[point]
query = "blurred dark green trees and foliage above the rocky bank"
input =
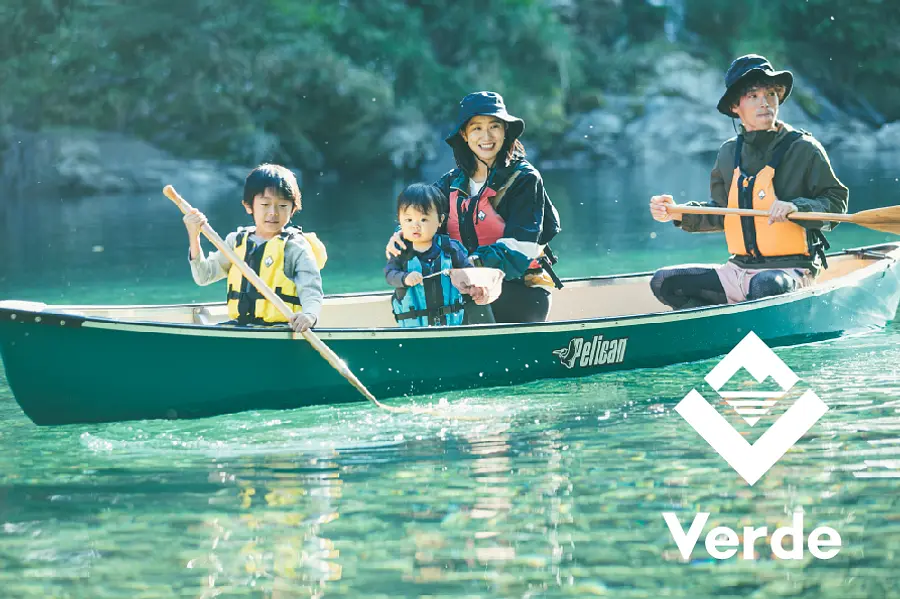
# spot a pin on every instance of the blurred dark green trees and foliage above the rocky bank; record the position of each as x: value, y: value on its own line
x: 318, y: 83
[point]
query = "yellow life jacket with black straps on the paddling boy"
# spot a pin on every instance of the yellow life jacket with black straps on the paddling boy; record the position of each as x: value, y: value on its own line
x: 245, y: 303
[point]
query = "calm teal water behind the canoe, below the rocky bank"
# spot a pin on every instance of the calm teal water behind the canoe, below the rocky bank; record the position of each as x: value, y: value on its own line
x: 115, y: 249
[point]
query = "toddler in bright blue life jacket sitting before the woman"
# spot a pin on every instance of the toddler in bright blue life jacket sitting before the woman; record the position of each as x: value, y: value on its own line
x: 424, y: 292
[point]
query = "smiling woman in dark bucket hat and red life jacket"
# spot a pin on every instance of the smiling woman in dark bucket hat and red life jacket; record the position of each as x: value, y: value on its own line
x: 498, y: 208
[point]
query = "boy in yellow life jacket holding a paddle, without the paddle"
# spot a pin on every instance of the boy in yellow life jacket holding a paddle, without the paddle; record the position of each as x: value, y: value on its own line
x: 285, y: 258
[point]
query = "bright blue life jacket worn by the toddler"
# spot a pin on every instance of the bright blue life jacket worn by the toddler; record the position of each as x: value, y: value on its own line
x: 413, y: 311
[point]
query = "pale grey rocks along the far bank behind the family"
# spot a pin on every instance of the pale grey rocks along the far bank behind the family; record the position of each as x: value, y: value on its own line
x: 673, y: 115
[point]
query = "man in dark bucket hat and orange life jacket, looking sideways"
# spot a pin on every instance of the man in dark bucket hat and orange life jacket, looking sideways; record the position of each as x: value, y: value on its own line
x: 769, y: 166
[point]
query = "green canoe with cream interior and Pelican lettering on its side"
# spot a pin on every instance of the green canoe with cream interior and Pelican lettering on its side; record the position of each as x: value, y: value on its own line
x: 68, y: 364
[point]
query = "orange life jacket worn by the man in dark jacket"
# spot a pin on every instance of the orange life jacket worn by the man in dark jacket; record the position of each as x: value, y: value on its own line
x: 753, y: 235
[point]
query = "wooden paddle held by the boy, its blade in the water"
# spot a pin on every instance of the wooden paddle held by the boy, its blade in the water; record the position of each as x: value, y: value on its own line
x: 279, y: 304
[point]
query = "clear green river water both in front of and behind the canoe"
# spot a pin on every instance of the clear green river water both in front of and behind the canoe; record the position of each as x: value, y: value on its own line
x: 560, y: 494
